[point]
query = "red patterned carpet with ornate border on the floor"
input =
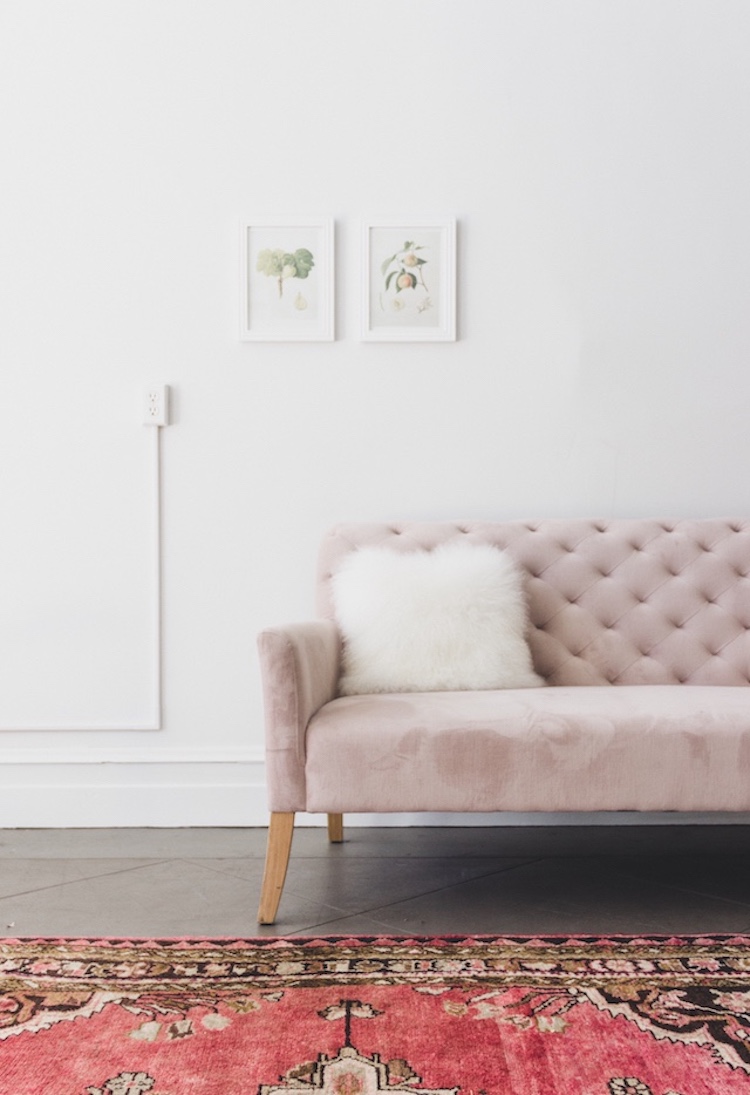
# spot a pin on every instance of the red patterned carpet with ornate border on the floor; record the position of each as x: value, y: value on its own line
x: 359, y: 1017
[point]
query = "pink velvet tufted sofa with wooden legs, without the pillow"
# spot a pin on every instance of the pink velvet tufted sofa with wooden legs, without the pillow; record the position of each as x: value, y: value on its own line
x: 641, y: 630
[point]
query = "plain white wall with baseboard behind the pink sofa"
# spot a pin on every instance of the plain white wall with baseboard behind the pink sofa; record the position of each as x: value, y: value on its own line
x: 596, y: 157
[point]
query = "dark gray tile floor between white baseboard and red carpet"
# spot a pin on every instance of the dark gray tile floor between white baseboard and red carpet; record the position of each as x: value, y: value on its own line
x: 625, y: 880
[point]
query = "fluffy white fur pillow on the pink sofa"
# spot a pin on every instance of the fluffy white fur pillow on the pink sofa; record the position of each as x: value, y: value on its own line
x: 424, y: 621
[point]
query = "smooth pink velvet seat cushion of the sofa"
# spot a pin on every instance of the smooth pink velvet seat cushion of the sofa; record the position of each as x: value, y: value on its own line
x: 657, y: 747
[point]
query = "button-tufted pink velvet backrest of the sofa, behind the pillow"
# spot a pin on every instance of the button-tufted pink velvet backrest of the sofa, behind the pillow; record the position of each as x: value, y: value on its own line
x: 610, y: 603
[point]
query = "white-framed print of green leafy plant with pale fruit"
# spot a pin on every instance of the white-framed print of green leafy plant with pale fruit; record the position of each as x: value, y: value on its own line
x: 287, y: 280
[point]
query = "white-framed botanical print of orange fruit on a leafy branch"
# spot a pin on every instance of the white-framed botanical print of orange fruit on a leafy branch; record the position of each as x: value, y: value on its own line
x: 409, y: 280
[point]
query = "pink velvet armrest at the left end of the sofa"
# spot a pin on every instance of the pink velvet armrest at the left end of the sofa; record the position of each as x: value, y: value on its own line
x: 301, y: 665
